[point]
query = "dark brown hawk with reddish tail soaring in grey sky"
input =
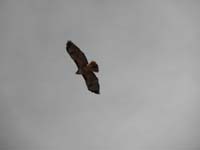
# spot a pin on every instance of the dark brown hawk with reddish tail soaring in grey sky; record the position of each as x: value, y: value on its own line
x: 84, y: 68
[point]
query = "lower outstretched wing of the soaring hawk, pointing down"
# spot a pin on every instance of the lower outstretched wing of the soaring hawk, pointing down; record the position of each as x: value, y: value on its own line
x: 92, y: 82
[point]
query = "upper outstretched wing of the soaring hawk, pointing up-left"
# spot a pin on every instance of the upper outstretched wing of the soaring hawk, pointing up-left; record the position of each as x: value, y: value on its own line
x: 76, y: 54
